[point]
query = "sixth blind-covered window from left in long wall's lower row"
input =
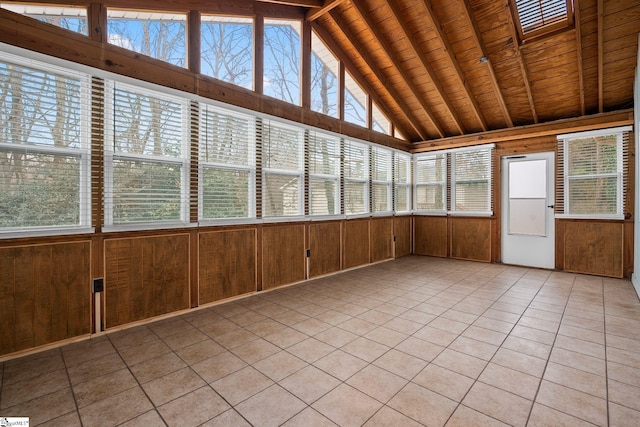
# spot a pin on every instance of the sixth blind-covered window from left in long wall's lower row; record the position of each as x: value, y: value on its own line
x: 356, y: 178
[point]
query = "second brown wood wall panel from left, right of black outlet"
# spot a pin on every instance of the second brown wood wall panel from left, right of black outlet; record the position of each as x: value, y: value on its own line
x: 145, y: 277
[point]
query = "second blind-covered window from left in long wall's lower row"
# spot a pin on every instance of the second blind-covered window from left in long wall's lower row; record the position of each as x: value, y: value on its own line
x: 147, y: 157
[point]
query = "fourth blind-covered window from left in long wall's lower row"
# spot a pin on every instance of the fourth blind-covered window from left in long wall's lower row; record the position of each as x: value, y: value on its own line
x: 282, y: 170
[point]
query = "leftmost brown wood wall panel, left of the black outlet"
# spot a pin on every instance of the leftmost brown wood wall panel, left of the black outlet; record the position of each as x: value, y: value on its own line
x: 44, y: 294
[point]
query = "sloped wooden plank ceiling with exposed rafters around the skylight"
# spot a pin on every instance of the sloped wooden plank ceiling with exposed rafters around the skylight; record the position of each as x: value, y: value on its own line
x: 442, y: 68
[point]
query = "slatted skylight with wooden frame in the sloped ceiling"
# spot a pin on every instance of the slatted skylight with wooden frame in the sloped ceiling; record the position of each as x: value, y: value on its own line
x: 537, y: 17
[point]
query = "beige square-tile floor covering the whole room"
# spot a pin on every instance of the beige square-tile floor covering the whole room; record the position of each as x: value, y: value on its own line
x: 414, y: 341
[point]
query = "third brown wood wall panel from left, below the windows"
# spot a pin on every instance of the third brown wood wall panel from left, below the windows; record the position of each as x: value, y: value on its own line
x: 226, y: 264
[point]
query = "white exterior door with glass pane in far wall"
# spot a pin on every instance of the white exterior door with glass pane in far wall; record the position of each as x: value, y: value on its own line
x: 528, y: 225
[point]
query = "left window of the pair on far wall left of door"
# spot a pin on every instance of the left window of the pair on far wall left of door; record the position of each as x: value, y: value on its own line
x: 431, y: 182
